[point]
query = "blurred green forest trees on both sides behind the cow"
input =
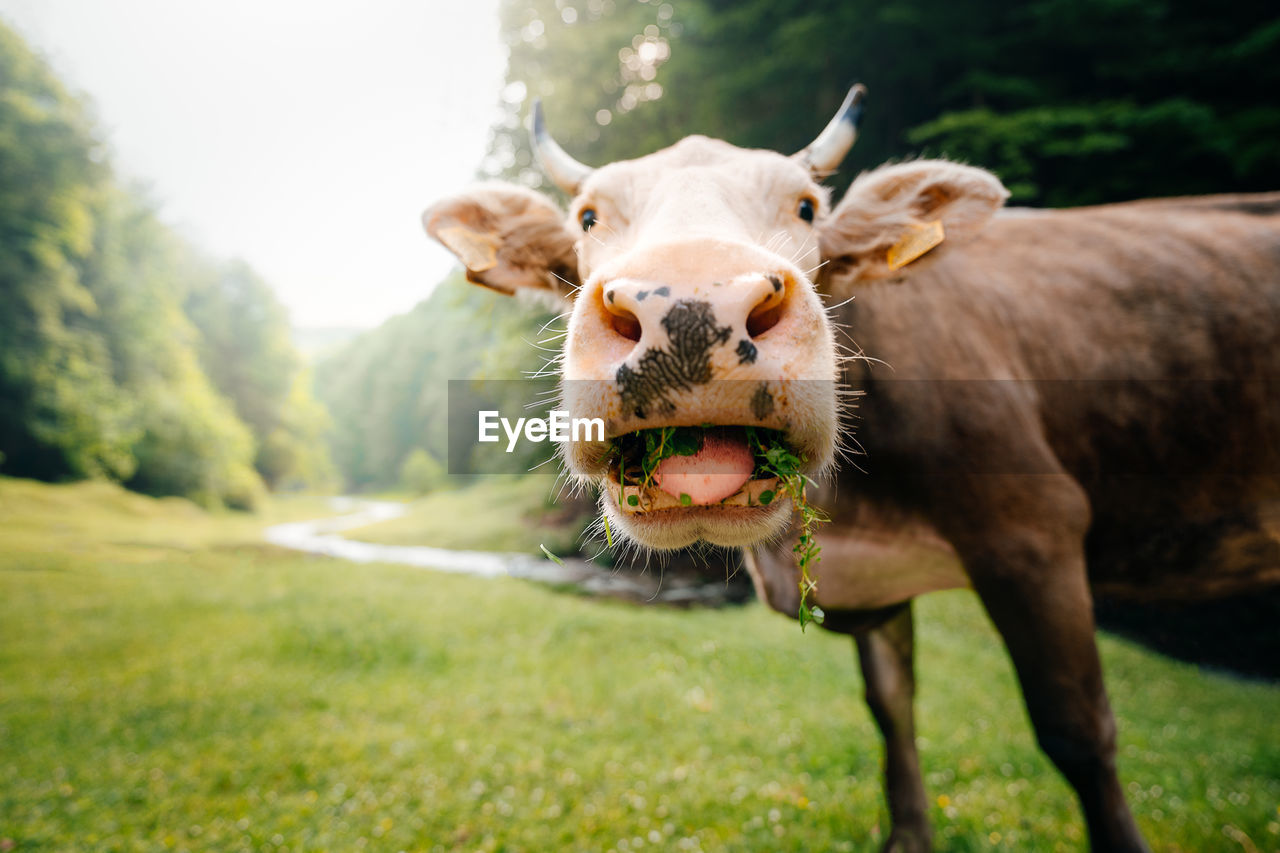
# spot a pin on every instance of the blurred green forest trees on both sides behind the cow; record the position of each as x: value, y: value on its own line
x: 129, y: 354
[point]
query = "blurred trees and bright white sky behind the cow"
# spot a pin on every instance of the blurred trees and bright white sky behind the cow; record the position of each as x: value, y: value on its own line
x: 214, y: 279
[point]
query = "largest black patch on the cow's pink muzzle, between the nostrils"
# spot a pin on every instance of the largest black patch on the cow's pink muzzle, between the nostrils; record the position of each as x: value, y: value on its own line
x: 693, y: 336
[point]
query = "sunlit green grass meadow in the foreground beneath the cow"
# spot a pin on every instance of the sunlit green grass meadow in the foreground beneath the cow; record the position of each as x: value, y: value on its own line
x: 170, y: 683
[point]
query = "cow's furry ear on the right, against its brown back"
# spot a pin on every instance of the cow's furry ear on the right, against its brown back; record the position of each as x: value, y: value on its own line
x: 902, y: 217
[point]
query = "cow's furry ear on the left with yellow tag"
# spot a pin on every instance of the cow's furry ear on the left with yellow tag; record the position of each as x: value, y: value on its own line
x: 509, y: 239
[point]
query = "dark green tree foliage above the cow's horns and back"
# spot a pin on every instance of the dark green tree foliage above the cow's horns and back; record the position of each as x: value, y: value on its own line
x: 1072, y: 102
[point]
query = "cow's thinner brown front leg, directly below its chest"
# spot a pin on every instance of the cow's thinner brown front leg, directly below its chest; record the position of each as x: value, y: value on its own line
x: 886, y: 659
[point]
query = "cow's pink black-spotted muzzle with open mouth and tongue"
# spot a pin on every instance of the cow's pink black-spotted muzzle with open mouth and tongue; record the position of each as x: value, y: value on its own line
x: 700, y: 357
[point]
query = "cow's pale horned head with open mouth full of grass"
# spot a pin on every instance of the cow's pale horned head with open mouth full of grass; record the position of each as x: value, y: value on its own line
x: 692, y: 276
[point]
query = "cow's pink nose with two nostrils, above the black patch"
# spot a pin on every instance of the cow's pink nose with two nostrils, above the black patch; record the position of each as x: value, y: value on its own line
x: 753, y: 303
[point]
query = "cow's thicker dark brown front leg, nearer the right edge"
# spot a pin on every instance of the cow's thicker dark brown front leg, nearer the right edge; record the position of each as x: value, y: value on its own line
x: 1043, y: 608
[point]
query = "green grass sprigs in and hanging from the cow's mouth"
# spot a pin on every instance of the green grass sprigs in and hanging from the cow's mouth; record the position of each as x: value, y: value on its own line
x: 638, y: 455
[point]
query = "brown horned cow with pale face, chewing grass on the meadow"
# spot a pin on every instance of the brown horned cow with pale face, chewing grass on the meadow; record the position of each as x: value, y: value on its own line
x: 1036, y: 404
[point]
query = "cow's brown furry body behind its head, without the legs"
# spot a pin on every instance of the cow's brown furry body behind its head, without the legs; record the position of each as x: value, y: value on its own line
x: 1132, y: 350
